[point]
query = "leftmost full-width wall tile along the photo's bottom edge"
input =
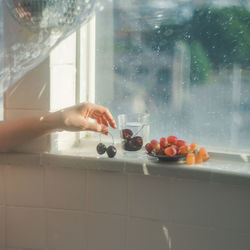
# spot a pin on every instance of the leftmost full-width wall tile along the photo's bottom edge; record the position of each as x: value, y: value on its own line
x: 25, y: 228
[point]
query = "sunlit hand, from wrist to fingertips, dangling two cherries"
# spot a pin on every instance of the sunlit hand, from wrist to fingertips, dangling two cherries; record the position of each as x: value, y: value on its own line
x: 75, y: 118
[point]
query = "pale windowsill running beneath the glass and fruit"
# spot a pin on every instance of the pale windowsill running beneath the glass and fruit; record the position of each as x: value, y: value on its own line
x: 221, y: 167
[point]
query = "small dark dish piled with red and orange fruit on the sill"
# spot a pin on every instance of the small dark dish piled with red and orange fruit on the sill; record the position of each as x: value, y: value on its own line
x: 173, y: 149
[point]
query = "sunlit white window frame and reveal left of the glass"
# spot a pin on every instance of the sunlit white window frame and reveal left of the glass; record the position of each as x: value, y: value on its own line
x: 75, y: 52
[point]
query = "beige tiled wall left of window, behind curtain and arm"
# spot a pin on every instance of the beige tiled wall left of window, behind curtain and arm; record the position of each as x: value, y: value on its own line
x: 30, y: 95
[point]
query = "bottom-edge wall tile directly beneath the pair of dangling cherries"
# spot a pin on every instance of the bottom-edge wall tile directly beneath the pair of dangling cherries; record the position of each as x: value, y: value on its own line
x: 106, y: 232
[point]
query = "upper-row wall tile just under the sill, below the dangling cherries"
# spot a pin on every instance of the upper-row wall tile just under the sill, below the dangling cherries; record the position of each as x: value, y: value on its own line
x: 107, y: 192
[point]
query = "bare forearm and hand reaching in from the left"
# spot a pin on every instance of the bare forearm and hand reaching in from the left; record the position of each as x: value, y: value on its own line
x: 75, y: 118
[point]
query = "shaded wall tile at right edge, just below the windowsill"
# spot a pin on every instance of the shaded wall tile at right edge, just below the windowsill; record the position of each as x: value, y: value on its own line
x: 231, y: 207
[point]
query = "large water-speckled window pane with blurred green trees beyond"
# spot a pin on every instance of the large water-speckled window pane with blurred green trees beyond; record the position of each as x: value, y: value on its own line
x: 185, y: 62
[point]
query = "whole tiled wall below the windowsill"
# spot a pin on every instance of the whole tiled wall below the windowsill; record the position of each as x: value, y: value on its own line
x: 52, y: 207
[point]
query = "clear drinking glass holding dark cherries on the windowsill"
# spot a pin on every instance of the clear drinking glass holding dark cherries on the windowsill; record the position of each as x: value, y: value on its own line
x: 134, y: 130
